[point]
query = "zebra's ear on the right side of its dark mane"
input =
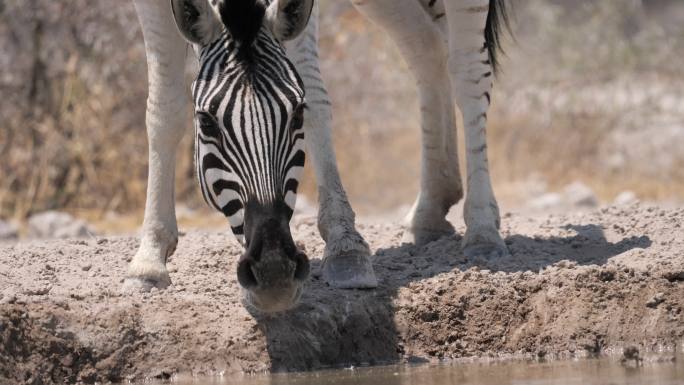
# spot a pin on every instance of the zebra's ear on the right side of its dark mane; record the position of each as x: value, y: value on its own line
x: 288, y: 18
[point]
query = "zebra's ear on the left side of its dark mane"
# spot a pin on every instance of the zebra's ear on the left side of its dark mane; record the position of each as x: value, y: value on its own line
x: 195, y: 20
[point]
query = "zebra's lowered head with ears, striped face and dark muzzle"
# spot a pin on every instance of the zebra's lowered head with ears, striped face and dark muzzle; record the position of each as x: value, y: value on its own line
x: 249, y: 140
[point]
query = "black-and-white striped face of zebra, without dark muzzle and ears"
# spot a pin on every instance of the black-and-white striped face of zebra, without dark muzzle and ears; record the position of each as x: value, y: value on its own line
x: 249, y: 144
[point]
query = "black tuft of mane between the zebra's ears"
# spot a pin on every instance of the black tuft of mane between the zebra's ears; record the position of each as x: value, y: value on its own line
x: 243, y: 19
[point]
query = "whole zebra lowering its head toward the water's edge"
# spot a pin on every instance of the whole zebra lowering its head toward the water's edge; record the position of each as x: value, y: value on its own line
x: 259, y: 100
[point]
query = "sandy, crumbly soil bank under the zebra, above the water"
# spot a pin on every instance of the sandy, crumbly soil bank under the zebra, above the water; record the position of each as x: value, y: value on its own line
x: 574, y: 285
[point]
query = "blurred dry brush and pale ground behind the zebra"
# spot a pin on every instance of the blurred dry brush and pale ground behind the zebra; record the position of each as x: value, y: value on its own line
x: 588, y: 109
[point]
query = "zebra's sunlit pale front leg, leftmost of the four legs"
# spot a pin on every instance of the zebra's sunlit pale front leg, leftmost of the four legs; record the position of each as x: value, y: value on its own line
x: 166, y: 106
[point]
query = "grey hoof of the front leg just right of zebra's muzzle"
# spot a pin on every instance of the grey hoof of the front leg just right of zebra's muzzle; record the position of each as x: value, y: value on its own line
x: 349, y: 271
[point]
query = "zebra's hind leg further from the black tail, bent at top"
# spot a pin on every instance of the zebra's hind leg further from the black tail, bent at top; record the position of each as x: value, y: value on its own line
x: 422, y: 46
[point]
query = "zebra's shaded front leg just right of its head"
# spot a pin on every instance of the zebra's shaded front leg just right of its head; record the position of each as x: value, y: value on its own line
x: 347, y: 255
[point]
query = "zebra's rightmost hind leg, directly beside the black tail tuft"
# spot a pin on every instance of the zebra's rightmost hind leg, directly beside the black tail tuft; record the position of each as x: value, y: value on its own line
x: 471, y: 79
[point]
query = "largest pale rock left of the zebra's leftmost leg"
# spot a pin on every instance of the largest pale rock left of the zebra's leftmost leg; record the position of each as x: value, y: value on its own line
x: 53, y: 224
